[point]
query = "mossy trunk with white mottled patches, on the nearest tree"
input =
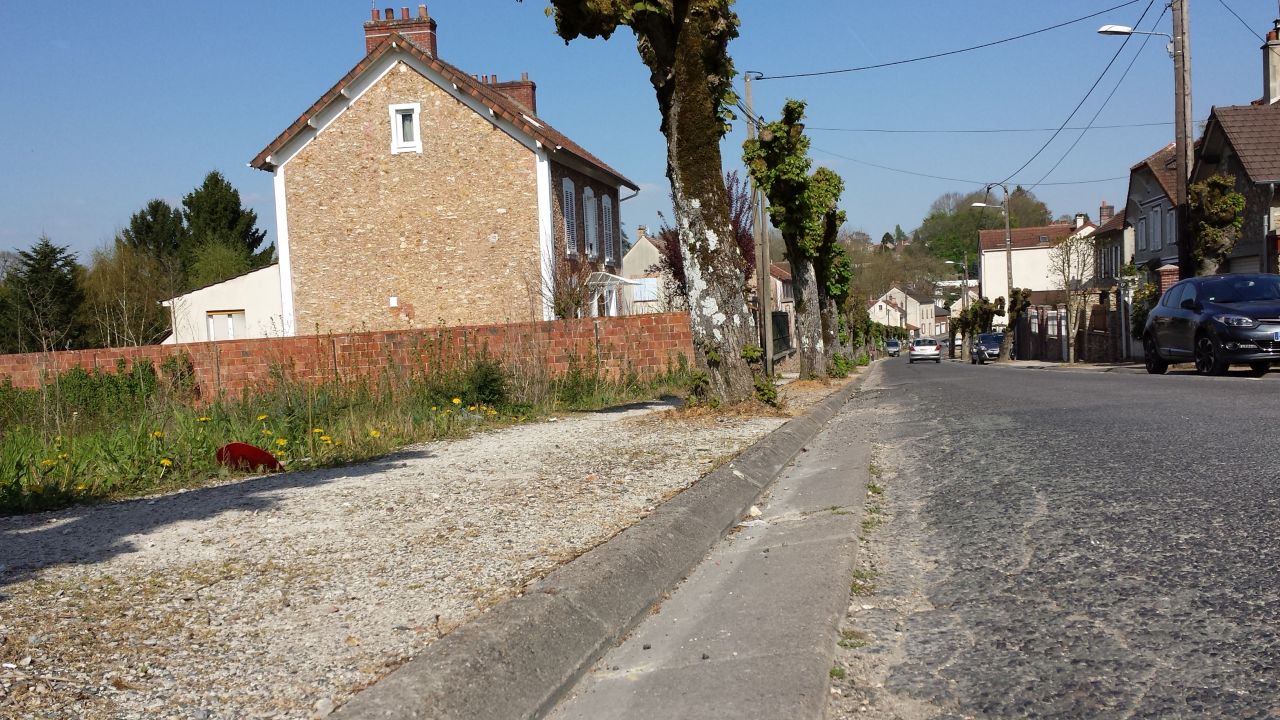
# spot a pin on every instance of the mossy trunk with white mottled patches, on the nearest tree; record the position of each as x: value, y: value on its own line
x: 723, y: 325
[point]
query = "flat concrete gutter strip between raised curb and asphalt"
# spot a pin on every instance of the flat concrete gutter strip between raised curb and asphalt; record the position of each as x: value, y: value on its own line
x: 752, y: 632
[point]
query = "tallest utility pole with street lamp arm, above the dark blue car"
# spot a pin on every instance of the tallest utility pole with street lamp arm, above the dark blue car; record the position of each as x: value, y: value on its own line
x: 1180, y: 49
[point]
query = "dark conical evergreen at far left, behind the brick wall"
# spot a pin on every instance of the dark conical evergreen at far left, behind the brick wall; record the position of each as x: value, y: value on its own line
x: 42, y: 300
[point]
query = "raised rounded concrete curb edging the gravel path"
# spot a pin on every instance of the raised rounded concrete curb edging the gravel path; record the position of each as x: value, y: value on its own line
x: 519, y: 659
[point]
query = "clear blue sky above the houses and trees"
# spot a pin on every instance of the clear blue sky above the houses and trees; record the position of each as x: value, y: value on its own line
x: 112, y: 104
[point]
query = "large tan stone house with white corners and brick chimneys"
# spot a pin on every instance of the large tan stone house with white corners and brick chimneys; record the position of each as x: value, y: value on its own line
x: 413, y: 194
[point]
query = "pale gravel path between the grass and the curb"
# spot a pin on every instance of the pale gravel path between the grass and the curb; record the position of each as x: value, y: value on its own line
x: 282, y: 596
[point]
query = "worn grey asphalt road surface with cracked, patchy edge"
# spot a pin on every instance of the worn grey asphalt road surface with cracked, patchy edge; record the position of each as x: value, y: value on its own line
x: 1064, y: 544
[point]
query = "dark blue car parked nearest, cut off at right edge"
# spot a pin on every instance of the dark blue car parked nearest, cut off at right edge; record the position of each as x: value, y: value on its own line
x: 1215, y: 321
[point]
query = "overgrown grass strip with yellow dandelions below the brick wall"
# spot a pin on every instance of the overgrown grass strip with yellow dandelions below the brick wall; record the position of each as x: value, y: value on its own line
x: 90, y: 436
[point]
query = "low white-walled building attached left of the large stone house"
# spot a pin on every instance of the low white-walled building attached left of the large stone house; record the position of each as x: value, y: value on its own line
x: 257, y: 295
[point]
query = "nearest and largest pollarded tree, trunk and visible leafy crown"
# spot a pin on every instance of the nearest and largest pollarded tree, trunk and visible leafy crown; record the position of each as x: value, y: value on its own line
x: 685, y: 47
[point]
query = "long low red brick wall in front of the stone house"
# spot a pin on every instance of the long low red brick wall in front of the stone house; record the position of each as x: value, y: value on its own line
x: 644, y: 344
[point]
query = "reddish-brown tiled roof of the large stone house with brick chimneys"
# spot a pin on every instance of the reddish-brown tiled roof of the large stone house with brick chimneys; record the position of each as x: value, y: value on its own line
x: 495, y: 101
